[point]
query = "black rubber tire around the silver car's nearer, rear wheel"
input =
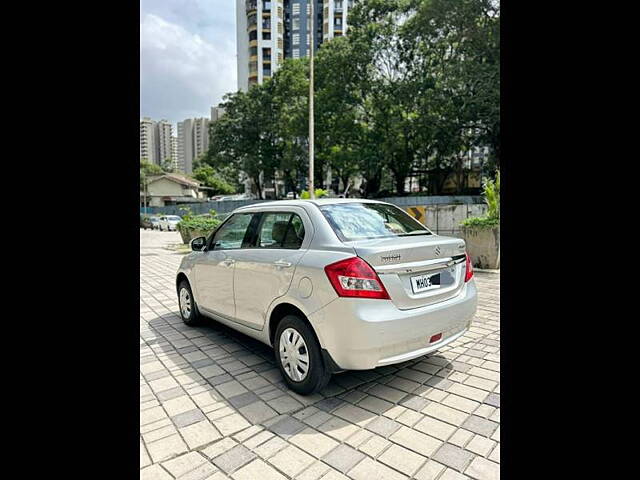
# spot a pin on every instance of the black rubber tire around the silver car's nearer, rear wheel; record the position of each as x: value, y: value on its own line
x: 317, y: 375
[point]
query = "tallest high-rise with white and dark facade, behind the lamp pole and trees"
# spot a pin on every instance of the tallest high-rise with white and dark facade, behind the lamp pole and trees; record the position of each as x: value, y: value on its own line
x: 270, y: 31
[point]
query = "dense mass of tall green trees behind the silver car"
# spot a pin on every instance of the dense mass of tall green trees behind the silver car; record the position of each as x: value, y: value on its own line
x: 411, y: 90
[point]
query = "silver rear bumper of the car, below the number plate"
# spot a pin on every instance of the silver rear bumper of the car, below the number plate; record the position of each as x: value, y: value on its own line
x: 360, y: 333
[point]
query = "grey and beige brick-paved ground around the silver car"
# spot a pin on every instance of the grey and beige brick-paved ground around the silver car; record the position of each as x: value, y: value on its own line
x: 213, y: 404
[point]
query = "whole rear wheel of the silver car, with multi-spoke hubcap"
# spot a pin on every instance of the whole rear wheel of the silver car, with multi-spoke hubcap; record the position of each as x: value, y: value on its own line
x: 299, y: 358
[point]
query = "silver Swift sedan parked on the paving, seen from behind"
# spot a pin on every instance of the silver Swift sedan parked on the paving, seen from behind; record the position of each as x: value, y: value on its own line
x: 331, y: 284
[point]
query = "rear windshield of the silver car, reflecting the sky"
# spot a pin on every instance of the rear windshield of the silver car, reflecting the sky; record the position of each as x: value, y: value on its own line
x: 358, y: 221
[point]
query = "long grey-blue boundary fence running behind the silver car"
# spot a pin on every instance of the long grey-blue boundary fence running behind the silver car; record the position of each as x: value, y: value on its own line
x: 441, y: 214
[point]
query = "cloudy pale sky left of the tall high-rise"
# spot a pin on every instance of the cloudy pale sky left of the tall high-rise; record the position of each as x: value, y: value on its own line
x: 187, y: 57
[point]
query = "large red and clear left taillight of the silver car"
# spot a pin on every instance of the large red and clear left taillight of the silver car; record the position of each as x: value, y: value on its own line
x: 354, y: 277
